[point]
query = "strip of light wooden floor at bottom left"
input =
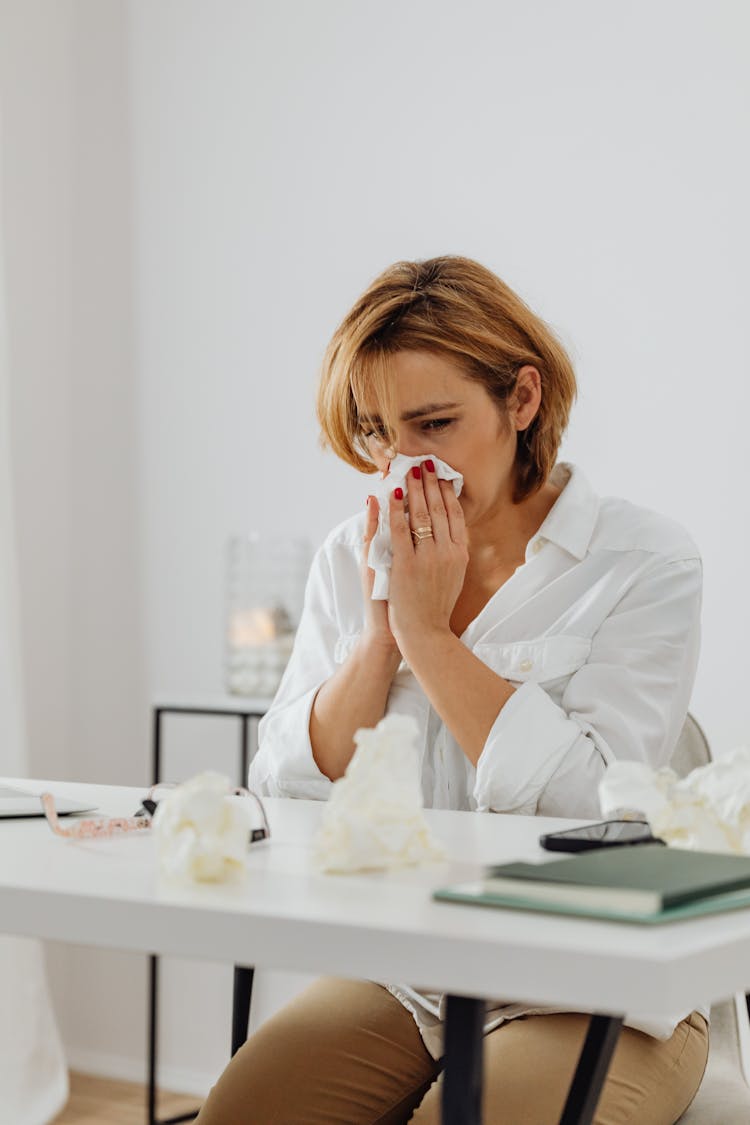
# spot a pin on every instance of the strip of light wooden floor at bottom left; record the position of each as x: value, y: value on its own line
x: 110, y: 1102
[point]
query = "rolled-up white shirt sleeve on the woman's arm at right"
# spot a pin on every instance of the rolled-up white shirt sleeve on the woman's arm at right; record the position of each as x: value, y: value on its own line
x: 628, y: 701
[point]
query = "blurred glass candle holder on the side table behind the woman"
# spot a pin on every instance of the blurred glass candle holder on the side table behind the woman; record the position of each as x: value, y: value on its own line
x: 266, y: 590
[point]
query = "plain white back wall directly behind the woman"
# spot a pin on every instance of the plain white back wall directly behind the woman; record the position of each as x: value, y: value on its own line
x: 284, y: 154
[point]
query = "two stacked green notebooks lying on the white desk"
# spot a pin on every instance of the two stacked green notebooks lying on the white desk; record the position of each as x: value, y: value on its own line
x: 648, y: 884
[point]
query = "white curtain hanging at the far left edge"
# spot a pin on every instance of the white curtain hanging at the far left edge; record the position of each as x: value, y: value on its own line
x: 33, y: 1073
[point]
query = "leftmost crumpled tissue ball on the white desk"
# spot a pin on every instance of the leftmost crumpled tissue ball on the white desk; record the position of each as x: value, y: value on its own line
x: 202, y: 836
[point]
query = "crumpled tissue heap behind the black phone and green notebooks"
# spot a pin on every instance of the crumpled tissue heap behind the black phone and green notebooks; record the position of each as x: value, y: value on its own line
x: 709, y: 809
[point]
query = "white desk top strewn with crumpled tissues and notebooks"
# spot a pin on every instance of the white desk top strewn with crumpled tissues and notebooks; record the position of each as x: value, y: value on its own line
x: 377, y: 926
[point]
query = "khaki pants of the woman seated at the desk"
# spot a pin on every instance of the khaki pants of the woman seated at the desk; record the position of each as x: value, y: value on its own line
x: 349, y: 1054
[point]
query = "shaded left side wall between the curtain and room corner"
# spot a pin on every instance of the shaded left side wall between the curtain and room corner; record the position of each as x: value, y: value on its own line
x: 67, y: 190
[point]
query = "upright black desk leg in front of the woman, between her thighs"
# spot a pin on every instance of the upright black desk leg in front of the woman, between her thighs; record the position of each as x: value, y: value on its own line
x: 465, y: 1023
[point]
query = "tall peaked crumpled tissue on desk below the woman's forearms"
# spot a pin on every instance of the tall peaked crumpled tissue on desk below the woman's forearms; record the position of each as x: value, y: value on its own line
x: 374, y: 818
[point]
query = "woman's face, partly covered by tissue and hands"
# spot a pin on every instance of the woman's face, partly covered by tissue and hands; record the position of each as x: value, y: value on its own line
x: 444, y: 412
